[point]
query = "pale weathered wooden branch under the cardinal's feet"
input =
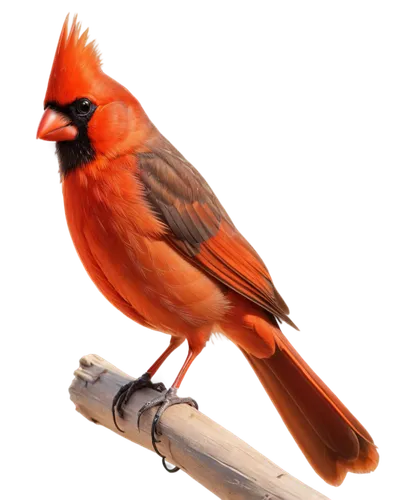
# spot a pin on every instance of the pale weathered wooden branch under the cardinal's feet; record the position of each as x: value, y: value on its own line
x: 223, y: 463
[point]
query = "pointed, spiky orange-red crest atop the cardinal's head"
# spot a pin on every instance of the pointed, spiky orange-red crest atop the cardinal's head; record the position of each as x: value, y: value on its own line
x: 76, y: 55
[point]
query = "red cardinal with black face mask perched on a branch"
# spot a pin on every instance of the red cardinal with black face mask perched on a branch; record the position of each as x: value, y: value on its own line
x: 154, y: 238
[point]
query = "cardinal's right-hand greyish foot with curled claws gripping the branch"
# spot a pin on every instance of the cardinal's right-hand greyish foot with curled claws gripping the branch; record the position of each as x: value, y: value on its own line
x: 164, y: 401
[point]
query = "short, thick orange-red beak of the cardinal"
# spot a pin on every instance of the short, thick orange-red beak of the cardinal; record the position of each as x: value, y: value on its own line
x: 55, y: 127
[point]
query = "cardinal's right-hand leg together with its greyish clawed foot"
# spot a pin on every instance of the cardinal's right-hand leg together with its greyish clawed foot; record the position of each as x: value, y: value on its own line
x: 170, y: 398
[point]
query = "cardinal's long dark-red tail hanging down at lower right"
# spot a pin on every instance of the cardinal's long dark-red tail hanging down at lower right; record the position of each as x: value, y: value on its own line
x: 334, y: 442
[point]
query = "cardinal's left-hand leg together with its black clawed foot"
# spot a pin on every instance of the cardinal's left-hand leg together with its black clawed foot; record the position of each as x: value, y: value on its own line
x: 145, y: 379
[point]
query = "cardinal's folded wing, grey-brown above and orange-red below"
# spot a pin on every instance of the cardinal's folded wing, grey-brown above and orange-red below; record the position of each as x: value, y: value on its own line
x: 202, y: 229
